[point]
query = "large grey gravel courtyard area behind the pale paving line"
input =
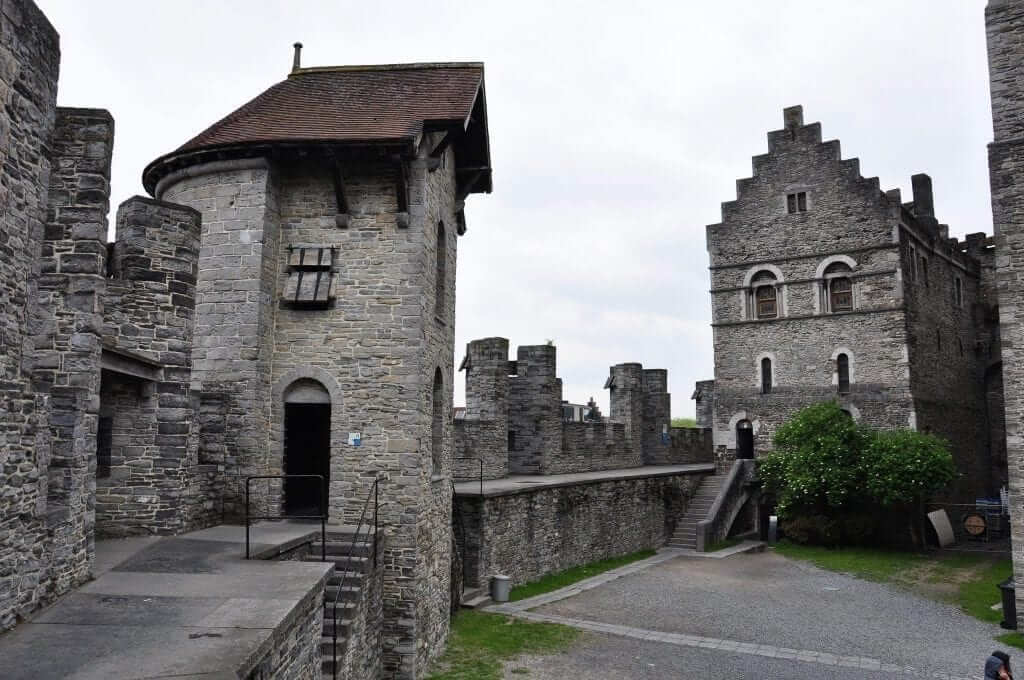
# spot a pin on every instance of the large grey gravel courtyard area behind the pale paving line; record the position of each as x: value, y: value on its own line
x: 769, y: 600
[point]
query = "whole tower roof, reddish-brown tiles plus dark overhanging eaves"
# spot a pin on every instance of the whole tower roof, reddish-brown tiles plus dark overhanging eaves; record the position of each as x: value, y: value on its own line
x: 377, y: 105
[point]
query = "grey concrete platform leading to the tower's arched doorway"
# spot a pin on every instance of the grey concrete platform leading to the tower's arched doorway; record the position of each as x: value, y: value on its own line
x: 178, y: 607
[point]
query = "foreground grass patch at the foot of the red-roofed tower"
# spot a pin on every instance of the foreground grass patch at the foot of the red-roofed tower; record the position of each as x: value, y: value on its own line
x: 480, y: 644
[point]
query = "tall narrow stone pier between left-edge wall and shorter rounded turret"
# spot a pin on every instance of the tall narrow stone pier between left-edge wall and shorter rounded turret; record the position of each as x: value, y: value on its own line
x: 68, y: 329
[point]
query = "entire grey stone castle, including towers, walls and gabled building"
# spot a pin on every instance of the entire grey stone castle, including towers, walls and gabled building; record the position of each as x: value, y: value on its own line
x: 284, y: 305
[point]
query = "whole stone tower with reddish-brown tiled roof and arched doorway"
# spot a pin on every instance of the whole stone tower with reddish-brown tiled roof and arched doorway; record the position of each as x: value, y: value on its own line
x: 325, y: 312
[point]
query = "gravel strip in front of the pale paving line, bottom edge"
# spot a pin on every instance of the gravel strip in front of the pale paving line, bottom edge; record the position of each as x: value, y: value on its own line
x: 598, y: 657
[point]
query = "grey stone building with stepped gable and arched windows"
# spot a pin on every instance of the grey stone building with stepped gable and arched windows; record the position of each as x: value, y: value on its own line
x: 824, y: 287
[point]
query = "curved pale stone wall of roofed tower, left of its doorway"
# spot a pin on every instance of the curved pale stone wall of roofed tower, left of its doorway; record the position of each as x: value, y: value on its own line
x: 235, y: 295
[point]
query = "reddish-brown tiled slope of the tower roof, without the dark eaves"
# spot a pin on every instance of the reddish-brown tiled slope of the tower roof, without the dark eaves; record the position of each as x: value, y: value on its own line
x: 351, y: 104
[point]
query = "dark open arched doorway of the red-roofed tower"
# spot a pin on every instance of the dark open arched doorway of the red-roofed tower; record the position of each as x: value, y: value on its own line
x: 308, y: 445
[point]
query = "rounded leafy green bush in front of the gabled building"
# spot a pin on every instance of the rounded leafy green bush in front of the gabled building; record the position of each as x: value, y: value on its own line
x: 834, y: 480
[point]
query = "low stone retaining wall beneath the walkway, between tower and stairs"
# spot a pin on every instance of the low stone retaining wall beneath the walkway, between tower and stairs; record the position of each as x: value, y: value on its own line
x: 538, y: 532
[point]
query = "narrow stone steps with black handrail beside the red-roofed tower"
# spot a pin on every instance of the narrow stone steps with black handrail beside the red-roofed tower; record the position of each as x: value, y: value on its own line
x: 352, y: 565
